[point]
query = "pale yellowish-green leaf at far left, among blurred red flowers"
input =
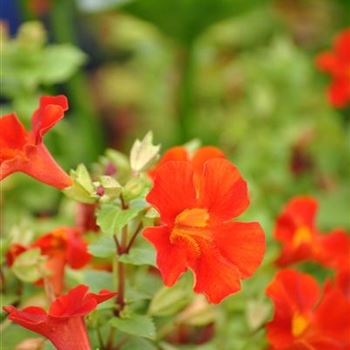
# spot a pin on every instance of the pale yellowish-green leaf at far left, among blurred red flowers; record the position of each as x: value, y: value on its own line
x: 28, y: 266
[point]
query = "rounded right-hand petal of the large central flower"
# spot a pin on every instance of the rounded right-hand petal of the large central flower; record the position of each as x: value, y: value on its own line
x: 242, y: 244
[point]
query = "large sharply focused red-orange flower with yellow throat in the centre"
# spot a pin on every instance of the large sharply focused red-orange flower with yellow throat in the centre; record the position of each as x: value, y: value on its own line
x: 197, y: 232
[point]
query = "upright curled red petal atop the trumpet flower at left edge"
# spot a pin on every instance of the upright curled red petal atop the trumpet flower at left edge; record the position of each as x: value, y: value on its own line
x: 50, y: 111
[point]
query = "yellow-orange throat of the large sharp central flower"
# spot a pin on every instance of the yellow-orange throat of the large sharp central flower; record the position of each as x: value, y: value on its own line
x: 191, y: 228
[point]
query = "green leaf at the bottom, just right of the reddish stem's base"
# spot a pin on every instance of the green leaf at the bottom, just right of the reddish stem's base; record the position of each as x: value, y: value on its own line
x: 140, y: 325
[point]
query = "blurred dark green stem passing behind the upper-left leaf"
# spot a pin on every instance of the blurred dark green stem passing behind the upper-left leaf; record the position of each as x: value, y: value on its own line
x: 86, y: 122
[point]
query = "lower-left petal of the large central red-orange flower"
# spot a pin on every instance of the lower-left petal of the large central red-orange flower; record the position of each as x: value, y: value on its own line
x: 171, y: 259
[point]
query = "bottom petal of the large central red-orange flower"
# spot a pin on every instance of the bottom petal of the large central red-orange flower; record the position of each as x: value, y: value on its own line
x: 215, y: 277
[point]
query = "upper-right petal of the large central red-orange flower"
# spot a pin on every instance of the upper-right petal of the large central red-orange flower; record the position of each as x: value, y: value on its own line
x: 222, y: 190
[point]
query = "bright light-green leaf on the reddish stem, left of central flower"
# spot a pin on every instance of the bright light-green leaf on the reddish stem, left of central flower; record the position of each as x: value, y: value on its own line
x: 111, y: 218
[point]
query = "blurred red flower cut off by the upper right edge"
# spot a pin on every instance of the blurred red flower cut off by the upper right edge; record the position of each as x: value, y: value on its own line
x: 337, y: 64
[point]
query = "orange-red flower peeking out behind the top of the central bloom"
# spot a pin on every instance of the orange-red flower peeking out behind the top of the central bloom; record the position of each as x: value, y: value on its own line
x: 198, y: 158
